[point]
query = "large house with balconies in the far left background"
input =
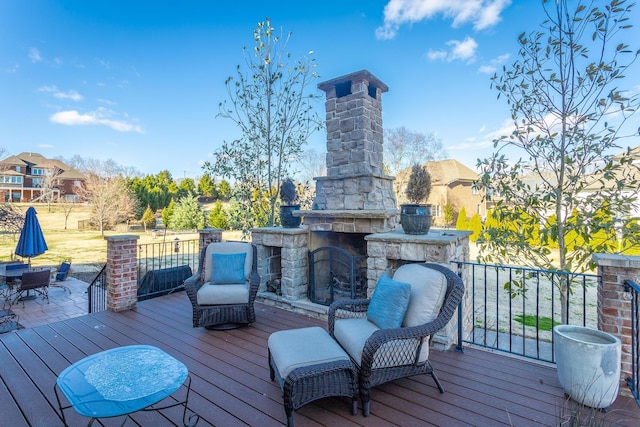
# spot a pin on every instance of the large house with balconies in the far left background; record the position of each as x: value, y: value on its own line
x: 31, y: 177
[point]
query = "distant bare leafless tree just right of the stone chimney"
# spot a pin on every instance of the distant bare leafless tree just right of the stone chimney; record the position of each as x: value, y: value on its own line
x: 404, y: 148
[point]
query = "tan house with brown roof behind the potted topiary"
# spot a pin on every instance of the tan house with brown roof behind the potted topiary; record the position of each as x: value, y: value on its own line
x: 451, y: 183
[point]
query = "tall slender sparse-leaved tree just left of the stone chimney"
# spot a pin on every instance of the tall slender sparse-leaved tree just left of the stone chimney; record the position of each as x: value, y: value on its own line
x: 271, y: 103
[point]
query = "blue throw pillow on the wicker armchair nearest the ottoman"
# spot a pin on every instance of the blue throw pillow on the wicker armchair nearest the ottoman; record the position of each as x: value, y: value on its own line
x: 389, y: 303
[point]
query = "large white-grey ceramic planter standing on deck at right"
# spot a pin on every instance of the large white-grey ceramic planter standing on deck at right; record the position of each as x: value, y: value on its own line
x: 588, y: 364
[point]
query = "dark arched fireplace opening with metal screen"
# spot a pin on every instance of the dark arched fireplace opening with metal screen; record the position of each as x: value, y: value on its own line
x: 336, y: 274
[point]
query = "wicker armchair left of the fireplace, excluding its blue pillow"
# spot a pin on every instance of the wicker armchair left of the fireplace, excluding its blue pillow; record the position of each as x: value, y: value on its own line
x: 229, y: 305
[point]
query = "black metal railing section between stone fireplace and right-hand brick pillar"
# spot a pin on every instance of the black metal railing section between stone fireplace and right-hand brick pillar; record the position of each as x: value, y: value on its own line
x: 514, y: 309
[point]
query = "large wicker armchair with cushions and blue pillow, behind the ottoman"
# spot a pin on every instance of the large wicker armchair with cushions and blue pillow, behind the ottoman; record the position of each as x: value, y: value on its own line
x: 388, y: 336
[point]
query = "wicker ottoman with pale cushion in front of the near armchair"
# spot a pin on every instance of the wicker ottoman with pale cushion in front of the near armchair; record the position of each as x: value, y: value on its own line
x: 309, y: 364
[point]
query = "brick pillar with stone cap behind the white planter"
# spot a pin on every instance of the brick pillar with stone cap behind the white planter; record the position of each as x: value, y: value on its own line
x: 614, y: 311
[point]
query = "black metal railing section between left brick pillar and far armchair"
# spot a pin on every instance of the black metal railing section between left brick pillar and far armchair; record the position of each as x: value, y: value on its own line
x: 163, y: 266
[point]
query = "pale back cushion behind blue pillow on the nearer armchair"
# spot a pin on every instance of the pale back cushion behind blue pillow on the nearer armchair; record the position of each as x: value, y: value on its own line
x: 428, y: 289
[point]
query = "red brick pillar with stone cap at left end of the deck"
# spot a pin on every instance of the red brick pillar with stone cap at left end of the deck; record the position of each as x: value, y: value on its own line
x: 122, y: 276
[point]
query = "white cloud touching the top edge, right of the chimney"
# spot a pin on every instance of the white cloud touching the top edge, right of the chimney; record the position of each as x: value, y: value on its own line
x: 481, y: 14
